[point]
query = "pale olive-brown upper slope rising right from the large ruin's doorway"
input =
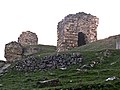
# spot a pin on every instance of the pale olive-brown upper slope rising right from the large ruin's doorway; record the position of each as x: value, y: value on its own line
x: 108, y: 43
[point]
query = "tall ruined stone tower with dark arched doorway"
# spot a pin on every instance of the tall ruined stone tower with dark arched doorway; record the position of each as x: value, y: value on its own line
x: 71, y: 25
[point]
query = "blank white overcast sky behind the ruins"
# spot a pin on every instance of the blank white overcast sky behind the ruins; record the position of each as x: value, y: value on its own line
x: 42, y: 16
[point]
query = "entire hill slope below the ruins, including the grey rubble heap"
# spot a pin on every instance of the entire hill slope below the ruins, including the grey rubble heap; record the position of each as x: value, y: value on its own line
x: 94, y: 66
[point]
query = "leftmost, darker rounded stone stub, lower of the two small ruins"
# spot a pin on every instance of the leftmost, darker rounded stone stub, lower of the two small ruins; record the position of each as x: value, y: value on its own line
x: 13, y: 51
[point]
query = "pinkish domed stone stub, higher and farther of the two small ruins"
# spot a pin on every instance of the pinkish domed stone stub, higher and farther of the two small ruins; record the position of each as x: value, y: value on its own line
x: 28, y: 38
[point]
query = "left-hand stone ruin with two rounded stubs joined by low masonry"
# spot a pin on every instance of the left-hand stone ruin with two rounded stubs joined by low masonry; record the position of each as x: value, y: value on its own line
x: 25, y: 46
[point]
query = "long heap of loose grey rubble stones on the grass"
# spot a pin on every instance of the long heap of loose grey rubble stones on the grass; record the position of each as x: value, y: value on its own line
x: 48, y: 62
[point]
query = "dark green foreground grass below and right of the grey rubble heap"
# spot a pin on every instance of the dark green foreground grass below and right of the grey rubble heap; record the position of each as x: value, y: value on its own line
x: 74, y: 77
